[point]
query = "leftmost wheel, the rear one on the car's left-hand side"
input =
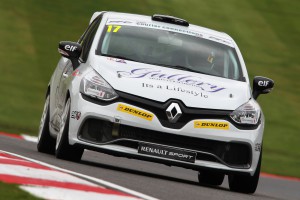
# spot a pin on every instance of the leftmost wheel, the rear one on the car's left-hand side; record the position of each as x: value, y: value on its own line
x: 46, y: 144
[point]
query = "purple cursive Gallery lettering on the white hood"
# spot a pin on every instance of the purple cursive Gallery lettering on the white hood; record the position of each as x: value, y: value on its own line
x: 170, y: 77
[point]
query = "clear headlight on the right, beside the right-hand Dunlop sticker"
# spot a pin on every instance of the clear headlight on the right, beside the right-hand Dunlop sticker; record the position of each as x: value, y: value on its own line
x: 247, y: 113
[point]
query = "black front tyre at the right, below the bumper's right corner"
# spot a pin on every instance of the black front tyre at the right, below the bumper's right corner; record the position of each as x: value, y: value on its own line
x: 245, y: 184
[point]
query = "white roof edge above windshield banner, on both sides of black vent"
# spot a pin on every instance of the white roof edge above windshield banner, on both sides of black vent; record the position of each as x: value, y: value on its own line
x: 148, y: 19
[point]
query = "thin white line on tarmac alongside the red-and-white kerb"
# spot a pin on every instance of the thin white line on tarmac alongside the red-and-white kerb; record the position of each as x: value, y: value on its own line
x: 95, y: 180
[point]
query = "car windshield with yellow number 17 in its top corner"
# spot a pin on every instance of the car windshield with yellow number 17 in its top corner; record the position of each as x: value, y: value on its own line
x: 170, y: 49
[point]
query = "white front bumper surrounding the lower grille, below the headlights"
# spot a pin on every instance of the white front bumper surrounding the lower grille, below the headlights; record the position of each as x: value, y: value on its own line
x: 103, y: 128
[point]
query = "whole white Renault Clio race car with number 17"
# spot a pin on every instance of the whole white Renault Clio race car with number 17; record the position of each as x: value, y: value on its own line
x: 157, y: 88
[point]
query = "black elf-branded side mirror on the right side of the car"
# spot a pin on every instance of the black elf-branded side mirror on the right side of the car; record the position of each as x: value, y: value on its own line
x: 261, y: 85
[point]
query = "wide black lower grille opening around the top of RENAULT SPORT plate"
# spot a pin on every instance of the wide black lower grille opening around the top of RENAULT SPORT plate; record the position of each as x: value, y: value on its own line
x: 233, y: 154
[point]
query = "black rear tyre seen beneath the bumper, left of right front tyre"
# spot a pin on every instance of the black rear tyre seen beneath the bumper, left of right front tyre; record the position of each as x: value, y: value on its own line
x: 210, y: 178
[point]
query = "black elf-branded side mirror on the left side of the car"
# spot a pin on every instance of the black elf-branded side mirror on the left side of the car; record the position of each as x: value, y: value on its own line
x: 70, y: 50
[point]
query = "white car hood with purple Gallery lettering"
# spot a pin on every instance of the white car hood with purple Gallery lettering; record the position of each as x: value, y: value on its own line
x: 162, y: 83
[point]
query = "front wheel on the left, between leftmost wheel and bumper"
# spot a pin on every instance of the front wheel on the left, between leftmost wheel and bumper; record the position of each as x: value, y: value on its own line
x: 63, y: 150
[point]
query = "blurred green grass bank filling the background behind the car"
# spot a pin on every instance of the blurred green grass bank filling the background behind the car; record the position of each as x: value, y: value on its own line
x: 267, y: 33
